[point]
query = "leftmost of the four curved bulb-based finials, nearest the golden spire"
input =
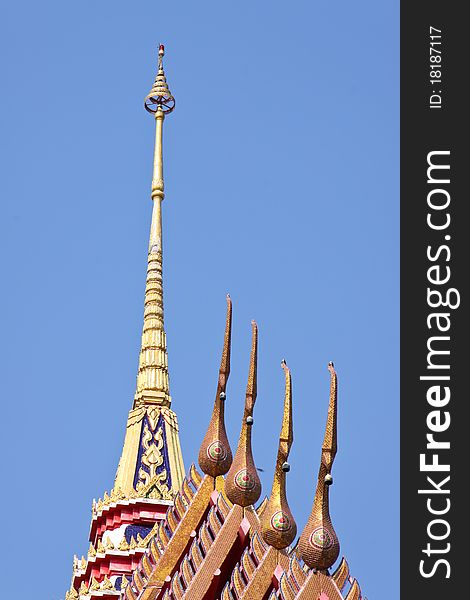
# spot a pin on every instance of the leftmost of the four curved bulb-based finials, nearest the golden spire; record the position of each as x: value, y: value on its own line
x: 215, y: 455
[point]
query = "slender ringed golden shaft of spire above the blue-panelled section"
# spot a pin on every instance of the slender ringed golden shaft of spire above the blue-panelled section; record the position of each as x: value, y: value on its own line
x: 152, y: 379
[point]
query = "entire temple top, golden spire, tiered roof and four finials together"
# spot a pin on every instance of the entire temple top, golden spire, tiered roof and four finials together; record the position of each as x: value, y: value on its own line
x: 161, y: 535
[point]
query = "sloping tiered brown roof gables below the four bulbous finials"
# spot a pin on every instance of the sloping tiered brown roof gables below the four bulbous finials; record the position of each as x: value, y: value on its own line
x: 210, y: 548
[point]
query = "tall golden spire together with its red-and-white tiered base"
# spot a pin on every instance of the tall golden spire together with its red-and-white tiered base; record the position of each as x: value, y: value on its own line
x: 150, y: 472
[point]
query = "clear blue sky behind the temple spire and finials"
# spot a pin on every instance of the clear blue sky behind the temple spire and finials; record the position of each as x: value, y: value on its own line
x: 281, y: 168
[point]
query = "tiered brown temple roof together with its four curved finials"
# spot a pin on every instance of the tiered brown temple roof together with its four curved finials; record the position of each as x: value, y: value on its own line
x: 215, y: 544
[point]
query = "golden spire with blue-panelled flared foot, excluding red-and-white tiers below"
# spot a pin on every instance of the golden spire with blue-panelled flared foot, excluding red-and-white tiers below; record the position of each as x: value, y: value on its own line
x: 151, y: 461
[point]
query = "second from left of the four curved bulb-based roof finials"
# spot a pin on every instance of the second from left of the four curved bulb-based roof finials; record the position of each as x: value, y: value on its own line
x: 242, y: 484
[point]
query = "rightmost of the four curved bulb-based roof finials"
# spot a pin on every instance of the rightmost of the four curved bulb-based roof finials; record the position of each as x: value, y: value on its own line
x: 319, y: 544
